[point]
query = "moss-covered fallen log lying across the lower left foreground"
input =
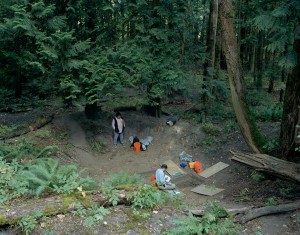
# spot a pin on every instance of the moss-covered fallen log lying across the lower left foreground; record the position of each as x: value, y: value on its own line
x: 55, y: 205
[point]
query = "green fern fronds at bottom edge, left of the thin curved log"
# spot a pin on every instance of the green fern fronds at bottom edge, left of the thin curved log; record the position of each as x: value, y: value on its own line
x: 212, y: 222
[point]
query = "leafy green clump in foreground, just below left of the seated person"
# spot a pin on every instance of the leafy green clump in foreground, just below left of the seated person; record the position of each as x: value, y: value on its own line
x: 147, y: 196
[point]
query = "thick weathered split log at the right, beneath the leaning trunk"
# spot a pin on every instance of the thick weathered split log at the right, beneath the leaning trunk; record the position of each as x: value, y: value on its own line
x: 269, y: 164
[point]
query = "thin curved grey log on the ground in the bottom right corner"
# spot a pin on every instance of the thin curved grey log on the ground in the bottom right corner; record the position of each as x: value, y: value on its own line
x: 267, y: 210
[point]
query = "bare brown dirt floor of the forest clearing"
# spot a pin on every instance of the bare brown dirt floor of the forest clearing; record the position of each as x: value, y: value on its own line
x: 88, y: 143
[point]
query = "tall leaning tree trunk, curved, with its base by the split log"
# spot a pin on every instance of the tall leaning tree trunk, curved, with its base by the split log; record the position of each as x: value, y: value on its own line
x: 229, y: 46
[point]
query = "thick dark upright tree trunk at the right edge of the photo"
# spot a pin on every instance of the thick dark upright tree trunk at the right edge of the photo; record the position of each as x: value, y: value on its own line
x: 290, y: 113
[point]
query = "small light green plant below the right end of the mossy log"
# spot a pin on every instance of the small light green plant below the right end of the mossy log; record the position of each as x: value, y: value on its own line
x: 92, y: 215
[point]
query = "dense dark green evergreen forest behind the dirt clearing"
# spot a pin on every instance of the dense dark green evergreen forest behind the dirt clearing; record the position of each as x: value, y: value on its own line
x: 92, y: 50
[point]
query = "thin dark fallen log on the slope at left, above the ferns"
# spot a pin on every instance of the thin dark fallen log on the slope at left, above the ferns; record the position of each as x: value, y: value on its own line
x: 32, y: 127
